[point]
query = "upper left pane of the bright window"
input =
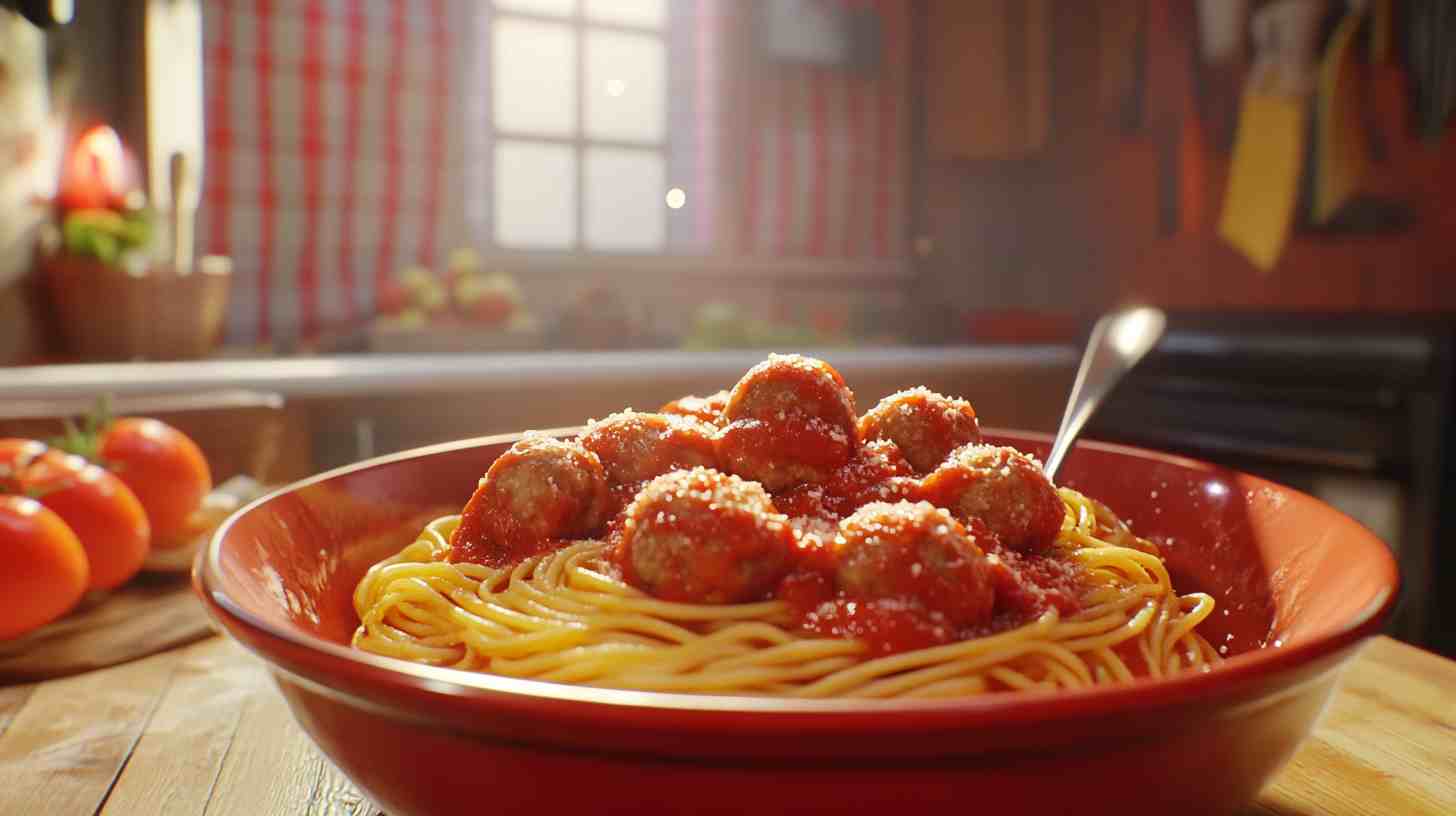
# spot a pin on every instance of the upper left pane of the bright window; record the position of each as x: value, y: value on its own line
x: 535, y: 76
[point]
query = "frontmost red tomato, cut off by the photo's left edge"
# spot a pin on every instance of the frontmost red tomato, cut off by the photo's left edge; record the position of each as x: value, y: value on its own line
x: 46, y: 568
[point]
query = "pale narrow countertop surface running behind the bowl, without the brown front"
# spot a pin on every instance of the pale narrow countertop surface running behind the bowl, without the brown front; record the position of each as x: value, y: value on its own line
x: 373, y: 375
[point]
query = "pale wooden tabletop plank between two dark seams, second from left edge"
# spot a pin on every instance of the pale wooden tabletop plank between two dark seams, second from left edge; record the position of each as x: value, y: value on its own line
x: 178, y: 761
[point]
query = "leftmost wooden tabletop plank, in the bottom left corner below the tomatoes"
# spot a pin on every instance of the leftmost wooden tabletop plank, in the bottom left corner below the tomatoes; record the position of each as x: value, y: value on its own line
x: 72, y: 737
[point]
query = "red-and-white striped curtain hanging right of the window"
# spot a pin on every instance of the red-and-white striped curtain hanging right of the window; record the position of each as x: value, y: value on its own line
x: 788, y: 160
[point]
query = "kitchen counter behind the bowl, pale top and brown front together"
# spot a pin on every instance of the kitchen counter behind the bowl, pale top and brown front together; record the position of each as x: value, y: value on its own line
x: 353, y: 407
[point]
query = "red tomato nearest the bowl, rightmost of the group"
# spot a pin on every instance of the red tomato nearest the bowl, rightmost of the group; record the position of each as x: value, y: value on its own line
x: 164, y: 468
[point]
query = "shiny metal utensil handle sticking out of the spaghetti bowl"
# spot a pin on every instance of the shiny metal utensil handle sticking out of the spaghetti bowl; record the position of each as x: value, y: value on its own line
x: 1117, y: 343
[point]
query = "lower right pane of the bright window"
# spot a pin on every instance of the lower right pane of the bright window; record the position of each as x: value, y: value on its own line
x: 625, y: 206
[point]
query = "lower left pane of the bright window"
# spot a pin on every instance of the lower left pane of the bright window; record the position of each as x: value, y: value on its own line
x: 535, y: 196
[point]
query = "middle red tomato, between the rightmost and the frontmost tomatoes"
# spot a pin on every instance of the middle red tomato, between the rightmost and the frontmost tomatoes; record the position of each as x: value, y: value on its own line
x: 98, y: 508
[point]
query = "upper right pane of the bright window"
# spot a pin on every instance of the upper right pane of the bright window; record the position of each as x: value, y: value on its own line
x: 627, y: 95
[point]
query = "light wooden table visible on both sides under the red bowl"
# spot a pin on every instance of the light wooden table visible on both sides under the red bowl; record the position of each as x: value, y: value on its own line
x: 202, y: 731
